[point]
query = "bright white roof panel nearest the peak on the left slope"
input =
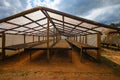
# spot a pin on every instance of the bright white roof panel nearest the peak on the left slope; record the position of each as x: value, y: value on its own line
x: 36, y: 15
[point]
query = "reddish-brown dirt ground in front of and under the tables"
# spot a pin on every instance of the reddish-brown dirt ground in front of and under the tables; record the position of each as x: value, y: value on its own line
x: 60, y: 67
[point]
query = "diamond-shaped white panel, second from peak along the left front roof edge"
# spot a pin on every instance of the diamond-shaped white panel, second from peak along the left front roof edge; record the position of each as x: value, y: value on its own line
x: 20, y: 20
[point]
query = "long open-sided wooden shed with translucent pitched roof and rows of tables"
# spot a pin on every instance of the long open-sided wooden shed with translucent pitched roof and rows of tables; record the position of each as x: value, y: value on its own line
x: 33, y: 28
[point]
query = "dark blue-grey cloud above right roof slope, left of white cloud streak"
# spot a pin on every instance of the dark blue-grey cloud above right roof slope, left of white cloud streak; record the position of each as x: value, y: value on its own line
x: 82, y: 7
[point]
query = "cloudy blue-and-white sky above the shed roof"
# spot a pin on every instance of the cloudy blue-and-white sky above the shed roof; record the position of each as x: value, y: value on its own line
x: 104, y: 11
